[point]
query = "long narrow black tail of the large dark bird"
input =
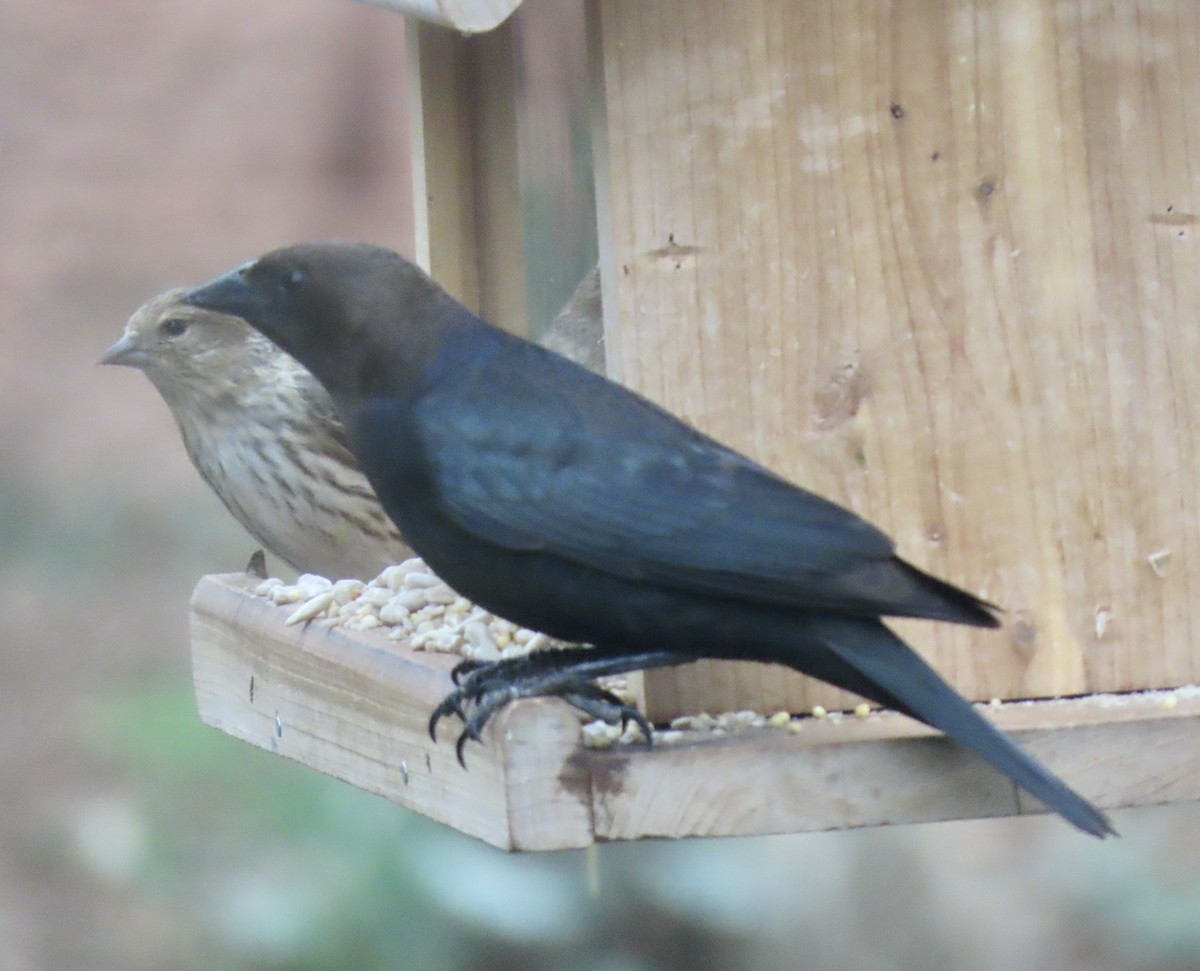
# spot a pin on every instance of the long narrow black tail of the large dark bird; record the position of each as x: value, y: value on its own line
x: 871, y: 661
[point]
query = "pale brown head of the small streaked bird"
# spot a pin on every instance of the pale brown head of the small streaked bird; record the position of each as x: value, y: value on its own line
x: 193, y: 355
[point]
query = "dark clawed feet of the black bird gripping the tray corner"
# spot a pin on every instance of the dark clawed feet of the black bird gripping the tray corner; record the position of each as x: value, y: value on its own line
x: 483, y: 690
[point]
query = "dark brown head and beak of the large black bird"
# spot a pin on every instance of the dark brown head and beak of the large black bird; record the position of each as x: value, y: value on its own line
x: 331, y: 305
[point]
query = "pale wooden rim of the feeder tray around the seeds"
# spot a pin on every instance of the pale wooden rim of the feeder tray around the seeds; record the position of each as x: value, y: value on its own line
x: 356, y: 705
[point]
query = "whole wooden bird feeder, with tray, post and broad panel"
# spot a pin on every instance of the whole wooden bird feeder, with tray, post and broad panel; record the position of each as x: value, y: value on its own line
x: 934, y: 261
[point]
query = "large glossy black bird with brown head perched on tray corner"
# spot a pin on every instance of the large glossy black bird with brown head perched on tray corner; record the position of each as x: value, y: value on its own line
x: 569, y: 505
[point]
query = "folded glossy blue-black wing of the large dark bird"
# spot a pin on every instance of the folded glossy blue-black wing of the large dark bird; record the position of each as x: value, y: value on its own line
x: 532, y: 453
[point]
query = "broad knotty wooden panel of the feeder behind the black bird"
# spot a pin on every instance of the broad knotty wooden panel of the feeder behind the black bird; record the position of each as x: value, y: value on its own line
x: 937, y: 261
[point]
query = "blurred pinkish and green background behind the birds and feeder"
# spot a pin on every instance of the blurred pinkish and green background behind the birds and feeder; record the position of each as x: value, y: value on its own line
x: 149, y: 145
